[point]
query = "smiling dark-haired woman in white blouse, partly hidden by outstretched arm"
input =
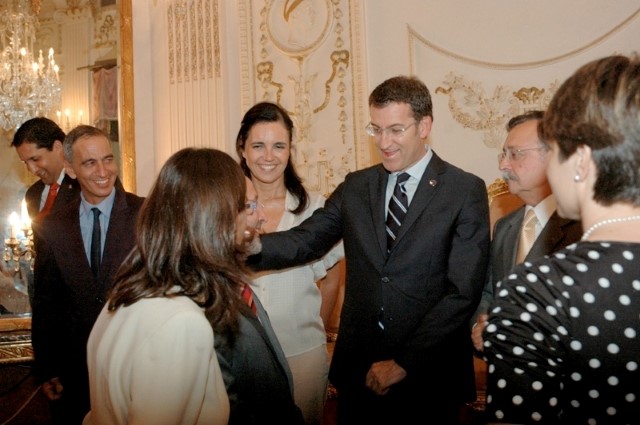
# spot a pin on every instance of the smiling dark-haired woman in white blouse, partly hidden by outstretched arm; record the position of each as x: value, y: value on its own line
x: 297, y: 308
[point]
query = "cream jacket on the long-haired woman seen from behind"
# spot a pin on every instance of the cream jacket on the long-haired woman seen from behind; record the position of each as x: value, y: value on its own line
x: 153, y: 362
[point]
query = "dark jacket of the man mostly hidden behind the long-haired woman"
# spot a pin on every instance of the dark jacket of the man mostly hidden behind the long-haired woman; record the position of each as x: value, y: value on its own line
x: 256, y: 373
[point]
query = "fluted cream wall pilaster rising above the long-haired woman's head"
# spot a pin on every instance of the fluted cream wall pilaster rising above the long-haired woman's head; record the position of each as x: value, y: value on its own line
x: 194, y: 99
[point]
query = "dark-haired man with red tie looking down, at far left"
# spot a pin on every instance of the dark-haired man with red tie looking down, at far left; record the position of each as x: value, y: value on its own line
x: 38, y: 143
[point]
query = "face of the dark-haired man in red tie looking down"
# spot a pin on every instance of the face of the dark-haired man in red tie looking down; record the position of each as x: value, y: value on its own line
x: 45, y: 164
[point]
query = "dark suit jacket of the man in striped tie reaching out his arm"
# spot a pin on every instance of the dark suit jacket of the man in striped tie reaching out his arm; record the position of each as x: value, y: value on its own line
x: 424, y: 291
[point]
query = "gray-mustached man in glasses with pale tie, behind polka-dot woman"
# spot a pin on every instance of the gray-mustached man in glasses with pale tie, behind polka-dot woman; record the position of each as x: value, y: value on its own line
x: 523, y: 163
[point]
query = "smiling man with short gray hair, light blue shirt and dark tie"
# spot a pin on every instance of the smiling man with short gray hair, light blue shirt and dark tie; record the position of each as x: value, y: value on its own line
x: 68, y: 294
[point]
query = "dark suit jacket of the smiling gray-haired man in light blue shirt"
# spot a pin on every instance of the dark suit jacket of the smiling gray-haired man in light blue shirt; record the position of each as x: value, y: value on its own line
x: 66, y: 299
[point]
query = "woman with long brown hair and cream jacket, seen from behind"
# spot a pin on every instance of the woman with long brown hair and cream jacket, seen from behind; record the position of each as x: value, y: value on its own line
x: 151, y: 352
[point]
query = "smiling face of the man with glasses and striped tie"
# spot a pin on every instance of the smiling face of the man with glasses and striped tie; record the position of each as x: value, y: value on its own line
x: 399, y: 151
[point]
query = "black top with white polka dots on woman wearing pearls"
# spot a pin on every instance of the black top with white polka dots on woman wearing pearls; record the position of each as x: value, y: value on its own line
x: 563, y: 338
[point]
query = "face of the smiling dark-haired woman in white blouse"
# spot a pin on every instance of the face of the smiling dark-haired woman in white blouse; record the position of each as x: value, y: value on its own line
x: 267, y: 151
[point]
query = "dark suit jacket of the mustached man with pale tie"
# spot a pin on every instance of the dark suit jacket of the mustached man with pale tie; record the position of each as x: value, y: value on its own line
x: 556, y: 234
